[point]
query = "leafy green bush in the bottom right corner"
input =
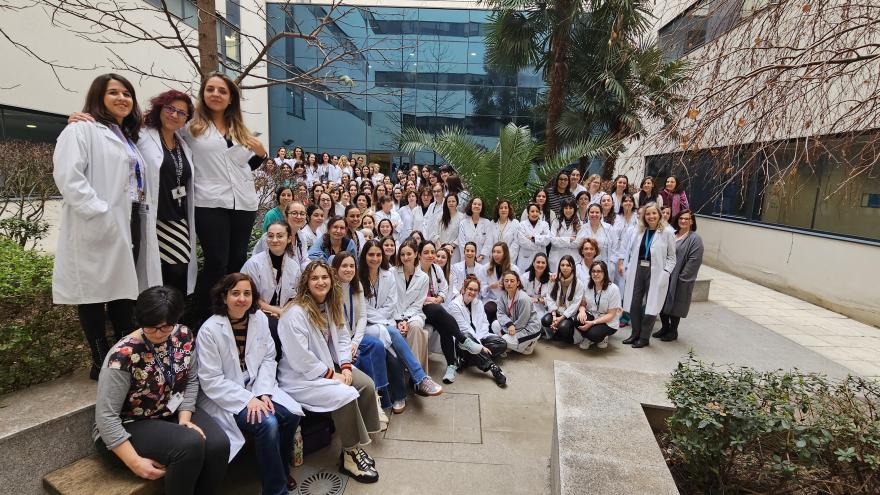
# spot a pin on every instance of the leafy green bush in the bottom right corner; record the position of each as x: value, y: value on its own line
x: 738, y: 430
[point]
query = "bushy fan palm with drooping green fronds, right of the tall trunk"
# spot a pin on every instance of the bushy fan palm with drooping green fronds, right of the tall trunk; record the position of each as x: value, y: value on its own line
x: 618, y: 81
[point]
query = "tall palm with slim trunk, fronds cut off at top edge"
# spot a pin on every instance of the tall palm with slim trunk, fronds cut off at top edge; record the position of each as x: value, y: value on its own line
x: 524, y: 33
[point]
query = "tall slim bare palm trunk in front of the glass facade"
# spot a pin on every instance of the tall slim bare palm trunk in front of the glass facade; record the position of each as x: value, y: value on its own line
x: 559, y: 41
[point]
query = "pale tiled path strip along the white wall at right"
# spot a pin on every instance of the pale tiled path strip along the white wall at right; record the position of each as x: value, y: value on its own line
x: 843, y: 340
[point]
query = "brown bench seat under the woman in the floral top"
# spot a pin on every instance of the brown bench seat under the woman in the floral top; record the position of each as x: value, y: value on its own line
x: 94, y: 475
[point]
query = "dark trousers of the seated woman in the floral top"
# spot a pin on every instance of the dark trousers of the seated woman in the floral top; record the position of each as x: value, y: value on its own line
x: 192, y: 464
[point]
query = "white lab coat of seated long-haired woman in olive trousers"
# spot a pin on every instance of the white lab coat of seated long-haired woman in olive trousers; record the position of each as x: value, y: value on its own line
x: 305, y: 358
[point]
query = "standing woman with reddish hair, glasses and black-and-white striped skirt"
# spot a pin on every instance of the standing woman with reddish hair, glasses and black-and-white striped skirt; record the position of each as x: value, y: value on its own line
x: 170, y: 166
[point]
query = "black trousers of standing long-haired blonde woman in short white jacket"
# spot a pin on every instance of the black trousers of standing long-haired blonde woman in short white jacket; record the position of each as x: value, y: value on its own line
x: 224, y: 235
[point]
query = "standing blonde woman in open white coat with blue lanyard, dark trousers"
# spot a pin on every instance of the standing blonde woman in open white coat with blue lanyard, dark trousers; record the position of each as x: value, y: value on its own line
x: 651, y: 260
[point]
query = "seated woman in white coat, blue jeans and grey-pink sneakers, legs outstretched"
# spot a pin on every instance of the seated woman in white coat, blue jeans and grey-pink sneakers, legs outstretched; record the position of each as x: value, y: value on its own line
x: 380, y: 293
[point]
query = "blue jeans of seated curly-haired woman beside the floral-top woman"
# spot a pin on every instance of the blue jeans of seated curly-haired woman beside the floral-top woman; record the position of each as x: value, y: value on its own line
x: 273, y: 442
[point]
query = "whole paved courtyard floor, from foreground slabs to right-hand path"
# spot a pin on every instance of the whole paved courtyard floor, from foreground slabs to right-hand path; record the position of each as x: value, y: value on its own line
x: 477, y: 438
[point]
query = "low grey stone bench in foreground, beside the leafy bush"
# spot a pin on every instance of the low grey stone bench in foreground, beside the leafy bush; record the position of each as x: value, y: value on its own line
x: 603, y: 440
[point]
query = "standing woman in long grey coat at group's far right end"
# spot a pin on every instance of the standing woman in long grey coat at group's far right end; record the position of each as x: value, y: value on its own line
x: 689, y: 258
